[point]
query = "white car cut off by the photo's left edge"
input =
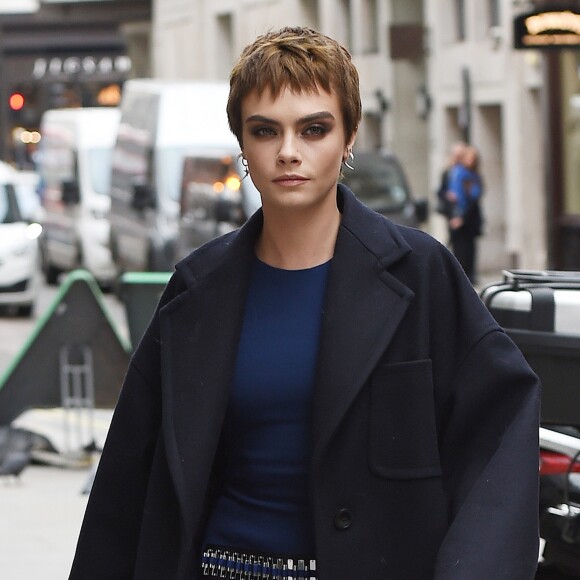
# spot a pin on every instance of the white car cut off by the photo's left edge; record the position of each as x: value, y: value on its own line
x: 19, y: 272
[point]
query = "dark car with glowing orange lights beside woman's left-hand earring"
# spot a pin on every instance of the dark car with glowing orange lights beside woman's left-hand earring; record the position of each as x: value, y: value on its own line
x: 214, y: 199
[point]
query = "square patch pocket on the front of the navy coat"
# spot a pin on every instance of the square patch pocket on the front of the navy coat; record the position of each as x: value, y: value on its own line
x: 403, y: 434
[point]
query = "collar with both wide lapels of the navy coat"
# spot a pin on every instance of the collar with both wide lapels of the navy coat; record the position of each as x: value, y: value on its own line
x: 200, y: 331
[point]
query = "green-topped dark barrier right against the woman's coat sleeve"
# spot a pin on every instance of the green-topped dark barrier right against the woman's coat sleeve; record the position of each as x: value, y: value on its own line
x: 140, y: 293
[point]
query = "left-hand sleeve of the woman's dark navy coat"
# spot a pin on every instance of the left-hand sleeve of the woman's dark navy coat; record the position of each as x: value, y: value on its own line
x: 109, y: 535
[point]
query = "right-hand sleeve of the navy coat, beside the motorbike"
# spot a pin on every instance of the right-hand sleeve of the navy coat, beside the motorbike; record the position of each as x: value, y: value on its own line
x: 489, y: 455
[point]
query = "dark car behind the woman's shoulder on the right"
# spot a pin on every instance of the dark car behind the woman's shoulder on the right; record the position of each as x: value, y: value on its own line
x: 379, y: 181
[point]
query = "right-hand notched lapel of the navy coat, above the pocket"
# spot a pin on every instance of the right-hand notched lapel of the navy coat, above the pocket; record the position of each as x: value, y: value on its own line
x: 364, y: 307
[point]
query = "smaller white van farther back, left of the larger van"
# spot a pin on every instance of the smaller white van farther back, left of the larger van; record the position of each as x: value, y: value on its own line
x: 74, y: 163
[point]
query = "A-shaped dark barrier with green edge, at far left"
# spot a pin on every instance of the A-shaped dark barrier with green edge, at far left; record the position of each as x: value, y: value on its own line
x: 77, y: 319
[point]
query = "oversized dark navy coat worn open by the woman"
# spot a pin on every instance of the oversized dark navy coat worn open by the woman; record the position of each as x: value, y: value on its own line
x: 425, y: 420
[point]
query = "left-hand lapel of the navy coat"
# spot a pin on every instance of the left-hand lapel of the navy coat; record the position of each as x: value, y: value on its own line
x: 200, y: 331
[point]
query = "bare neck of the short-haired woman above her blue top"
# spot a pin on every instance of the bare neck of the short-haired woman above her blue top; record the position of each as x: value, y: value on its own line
x: 296, y: 241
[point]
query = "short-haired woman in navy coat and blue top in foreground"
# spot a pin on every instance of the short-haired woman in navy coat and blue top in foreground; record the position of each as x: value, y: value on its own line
x: 320, y: 394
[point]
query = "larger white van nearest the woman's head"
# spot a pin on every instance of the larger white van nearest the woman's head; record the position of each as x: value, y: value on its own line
x: 161, y: 122
